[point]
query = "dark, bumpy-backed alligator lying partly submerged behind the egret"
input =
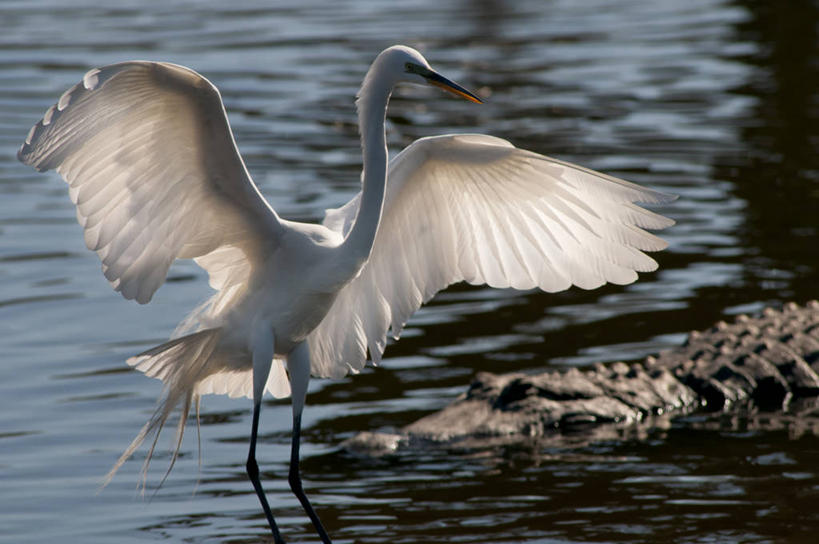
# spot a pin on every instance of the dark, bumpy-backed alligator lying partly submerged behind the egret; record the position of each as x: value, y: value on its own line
x: 762, y: 370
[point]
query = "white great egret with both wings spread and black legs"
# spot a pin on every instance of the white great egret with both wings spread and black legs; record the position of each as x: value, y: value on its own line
x: 155, y: 175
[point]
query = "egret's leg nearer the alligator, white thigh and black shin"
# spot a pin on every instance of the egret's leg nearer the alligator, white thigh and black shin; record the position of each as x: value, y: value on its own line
x: 298, y: 364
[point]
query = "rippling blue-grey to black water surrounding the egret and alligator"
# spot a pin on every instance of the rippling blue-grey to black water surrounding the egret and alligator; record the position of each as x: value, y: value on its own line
x: 713, y: 100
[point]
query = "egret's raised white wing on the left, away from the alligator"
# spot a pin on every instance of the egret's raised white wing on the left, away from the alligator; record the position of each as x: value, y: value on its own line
x: 154, y: 172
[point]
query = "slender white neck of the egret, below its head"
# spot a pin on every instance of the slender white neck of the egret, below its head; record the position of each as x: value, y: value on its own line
x: 372, y: 110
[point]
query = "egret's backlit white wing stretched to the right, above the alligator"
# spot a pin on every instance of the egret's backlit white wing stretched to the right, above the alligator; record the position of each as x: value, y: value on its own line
x: 475, y: 208
